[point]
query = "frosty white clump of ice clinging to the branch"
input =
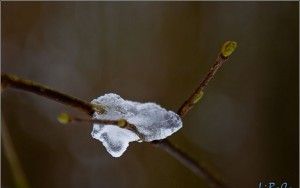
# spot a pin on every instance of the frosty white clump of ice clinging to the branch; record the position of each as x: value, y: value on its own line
x: 152, y: 122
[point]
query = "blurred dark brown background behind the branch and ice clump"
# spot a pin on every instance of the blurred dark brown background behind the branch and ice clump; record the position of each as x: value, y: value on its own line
x: 245, y: 128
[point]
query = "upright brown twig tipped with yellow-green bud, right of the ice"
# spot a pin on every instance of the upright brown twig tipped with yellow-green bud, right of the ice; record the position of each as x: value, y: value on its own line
x: 226, y: 51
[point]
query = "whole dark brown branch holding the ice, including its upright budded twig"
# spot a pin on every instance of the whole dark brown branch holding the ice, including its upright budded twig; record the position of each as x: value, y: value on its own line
x: 13, y: 81
